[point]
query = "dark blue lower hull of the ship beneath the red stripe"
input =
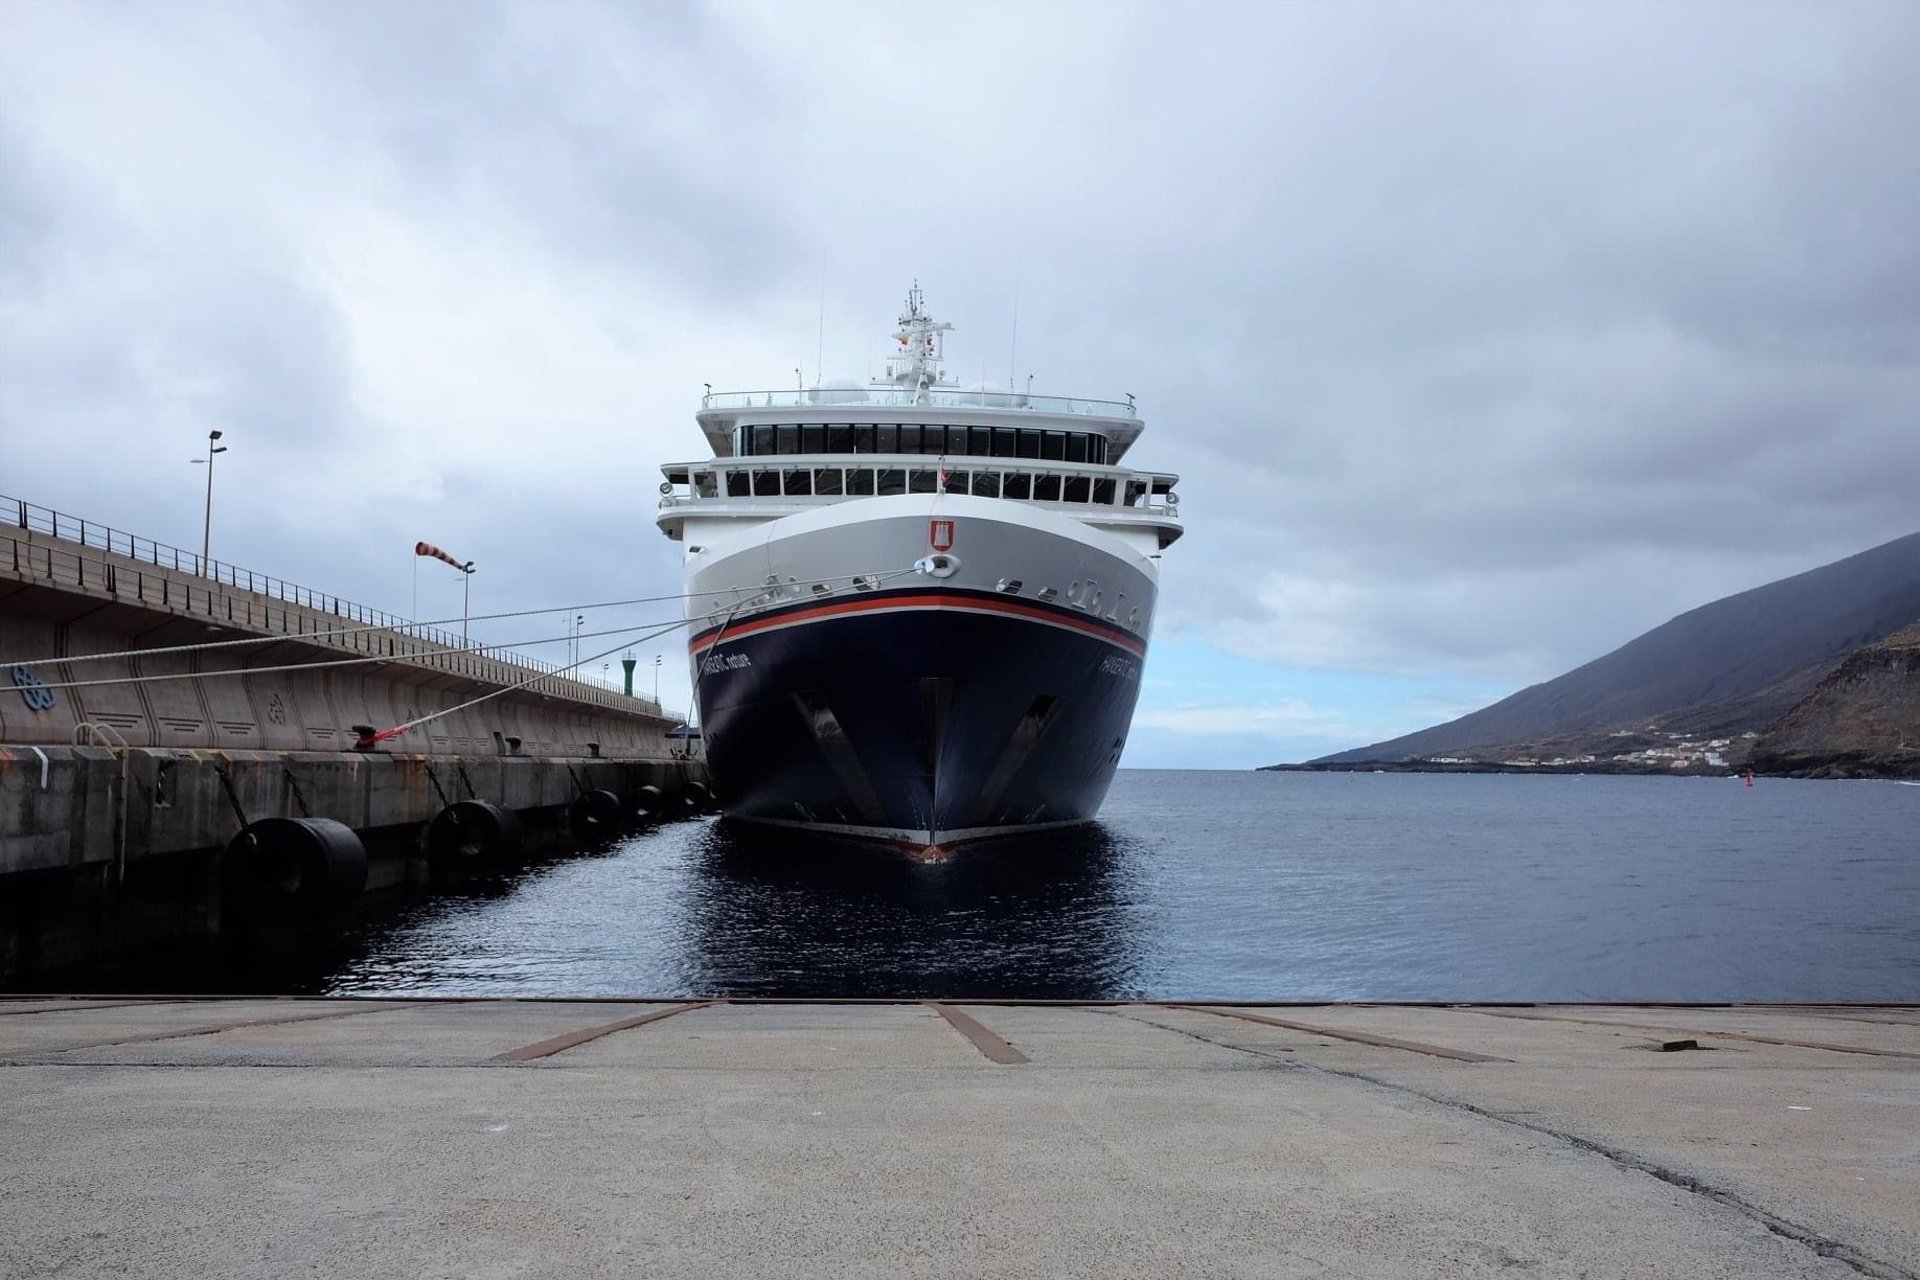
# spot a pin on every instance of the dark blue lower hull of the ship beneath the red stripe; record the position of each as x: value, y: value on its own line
x: 917, y: 717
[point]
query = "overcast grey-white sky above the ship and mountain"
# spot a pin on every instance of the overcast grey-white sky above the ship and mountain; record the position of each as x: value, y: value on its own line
x: 1485, y: 337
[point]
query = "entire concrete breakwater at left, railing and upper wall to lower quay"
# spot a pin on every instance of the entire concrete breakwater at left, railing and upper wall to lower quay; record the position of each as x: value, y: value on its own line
x: 128, y: 809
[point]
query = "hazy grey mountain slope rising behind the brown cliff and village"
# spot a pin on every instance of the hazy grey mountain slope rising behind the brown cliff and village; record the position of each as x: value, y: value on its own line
x: 1729, y: 667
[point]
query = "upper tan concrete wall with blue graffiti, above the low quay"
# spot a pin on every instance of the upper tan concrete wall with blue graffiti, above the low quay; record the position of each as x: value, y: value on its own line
x: 64, y: 600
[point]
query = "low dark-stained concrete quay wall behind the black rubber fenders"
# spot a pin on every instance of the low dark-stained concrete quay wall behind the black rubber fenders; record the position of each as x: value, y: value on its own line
x: 114, y: 855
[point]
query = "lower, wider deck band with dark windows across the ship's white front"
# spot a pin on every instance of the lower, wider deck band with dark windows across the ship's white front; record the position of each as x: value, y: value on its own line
x: 828, y: 479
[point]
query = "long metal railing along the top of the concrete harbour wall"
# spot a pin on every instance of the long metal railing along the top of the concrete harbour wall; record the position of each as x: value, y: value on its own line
x: 220, y: 598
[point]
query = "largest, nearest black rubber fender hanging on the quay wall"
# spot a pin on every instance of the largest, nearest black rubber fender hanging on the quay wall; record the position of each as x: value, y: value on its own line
x: 297, y: 868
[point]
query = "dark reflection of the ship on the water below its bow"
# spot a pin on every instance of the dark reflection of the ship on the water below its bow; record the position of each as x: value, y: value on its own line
x: 1045, y: 916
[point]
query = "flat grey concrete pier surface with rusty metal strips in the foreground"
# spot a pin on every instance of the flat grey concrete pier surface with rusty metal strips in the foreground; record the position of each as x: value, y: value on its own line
x: 686, y: 1139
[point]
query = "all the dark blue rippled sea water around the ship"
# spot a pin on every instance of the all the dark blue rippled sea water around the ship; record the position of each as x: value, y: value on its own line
x: 1228, y: 886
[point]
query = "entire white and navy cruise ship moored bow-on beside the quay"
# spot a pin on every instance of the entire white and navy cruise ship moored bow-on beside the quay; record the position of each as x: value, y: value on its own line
x: 919, y: 613
